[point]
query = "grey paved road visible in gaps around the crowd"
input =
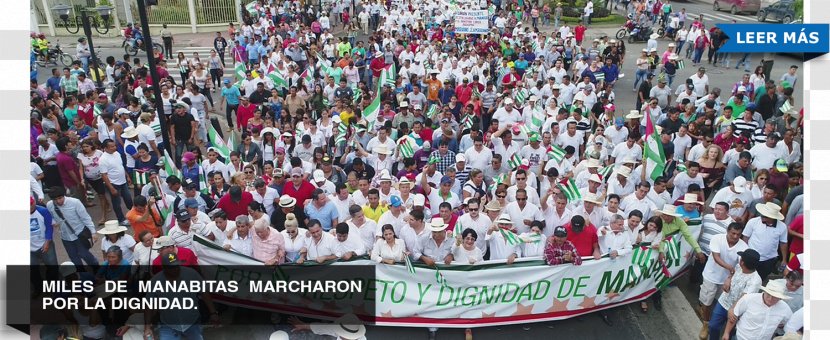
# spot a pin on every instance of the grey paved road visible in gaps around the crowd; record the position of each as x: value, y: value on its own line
x: 629, y: 322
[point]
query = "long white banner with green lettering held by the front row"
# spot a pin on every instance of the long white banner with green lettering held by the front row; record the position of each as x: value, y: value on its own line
x: 491, y: 293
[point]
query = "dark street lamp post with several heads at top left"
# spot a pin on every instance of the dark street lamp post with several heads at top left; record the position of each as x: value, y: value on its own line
x: 87, y: 20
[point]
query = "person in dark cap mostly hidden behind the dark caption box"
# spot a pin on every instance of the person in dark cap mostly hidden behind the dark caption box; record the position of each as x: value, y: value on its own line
x: 173, y: 323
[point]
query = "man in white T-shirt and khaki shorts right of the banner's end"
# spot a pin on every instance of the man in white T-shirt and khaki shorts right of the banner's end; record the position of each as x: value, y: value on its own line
x: 722, y: 262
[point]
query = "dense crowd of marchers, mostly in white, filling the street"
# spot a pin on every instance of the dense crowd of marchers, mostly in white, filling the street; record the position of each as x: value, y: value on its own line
x: 419, y: 142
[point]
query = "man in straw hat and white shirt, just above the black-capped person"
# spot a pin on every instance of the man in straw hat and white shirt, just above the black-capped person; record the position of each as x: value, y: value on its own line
x: 768, y: 235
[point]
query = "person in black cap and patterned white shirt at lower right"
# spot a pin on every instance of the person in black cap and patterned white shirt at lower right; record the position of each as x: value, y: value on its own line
x: 743, y: 281
